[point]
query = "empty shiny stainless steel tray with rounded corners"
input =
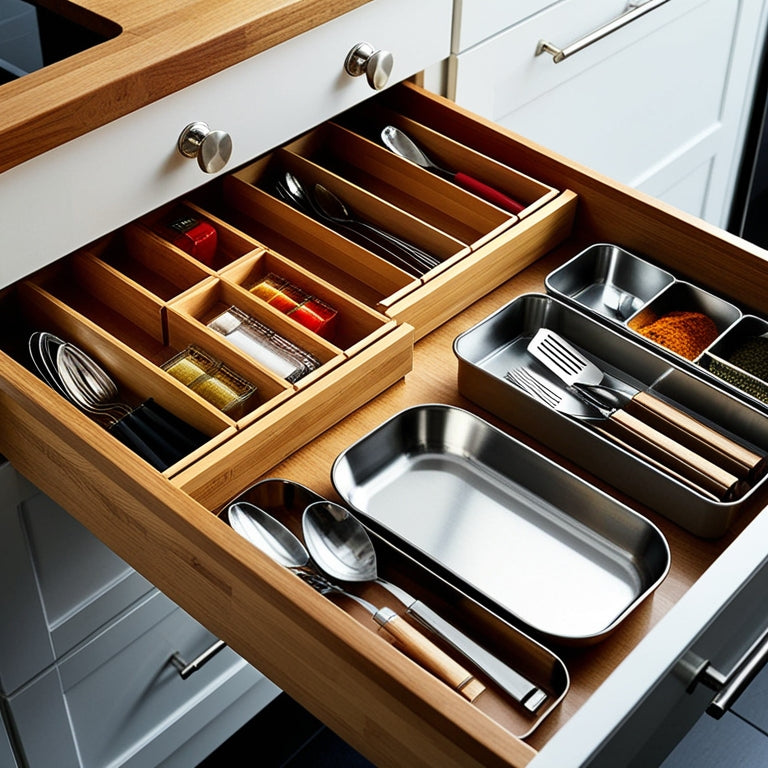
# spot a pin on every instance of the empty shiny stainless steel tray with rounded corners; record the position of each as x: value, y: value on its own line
x: 531, y: 540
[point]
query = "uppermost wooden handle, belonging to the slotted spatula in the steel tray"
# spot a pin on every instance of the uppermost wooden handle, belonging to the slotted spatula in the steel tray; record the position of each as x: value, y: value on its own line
x: 699, y: 437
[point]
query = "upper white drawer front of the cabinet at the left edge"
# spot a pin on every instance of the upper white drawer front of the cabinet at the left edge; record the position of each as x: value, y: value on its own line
x: 66, y: 584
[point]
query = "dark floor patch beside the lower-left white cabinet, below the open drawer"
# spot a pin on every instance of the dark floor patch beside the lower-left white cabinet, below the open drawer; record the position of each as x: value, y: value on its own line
x: 284, y: 735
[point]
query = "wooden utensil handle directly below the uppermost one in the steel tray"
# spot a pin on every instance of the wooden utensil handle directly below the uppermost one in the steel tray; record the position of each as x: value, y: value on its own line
x: 677, y: 457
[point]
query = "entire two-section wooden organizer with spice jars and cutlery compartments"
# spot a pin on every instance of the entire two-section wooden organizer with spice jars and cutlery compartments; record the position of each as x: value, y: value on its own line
x: 163, y: 285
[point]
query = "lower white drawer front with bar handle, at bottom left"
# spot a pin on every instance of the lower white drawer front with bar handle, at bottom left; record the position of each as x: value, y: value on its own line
x: 118, y: 700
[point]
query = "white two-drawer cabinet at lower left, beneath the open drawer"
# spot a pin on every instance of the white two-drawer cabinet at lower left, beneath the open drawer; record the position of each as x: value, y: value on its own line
x: 86, y: 678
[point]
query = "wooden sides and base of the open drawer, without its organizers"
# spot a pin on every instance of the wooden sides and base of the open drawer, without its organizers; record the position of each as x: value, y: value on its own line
x: 167, y: 527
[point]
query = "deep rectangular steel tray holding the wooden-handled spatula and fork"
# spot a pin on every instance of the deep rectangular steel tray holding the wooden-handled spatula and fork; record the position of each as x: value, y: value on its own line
x: 496, y: 345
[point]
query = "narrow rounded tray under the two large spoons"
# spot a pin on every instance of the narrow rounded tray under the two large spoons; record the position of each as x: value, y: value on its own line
x: 286, y: 500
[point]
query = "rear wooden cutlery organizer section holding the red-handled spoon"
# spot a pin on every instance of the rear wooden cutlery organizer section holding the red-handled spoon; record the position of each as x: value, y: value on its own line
x: 477, y: 244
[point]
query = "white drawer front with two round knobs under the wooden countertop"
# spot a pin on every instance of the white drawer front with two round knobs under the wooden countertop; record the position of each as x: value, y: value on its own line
x: 140, y: 149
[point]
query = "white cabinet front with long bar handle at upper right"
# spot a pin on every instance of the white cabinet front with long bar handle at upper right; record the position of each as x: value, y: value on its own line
x: 659, y: 104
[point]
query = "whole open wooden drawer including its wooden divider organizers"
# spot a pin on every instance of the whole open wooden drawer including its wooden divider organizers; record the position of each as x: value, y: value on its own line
x: 166, y: 524
